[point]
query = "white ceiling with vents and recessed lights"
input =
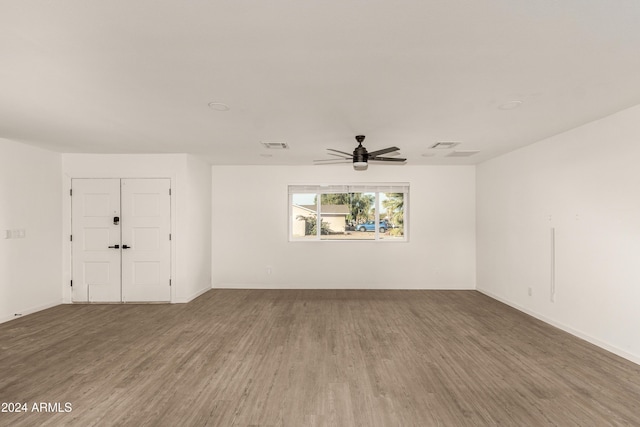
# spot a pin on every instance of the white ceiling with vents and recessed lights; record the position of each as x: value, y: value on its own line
x: 121, y: 76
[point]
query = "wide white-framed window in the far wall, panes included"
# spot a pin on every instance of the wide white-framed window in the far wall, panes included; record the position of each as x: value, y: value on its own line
x: 348, y: 212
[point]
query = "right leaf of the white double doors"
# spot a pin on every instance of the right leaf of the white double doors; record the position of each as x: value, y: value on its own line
x: 146, y: 246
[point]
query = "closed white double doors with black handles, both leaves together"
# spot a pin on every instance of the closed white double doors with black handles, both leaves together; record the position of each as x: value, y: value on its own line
x: 121, y: 240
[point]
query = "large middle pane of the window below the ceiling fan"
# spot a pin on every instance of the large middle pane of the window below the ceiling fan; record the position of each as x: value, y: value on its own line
x: 345, y: 215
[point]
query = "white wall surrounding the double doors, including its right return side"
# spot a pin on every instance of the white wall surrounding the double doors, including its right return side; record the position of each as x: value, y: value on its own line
x: 190, y: 181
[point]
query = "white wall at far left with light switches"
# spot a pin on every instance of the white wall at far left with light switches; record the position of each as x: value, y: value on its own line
x: 30, y: 195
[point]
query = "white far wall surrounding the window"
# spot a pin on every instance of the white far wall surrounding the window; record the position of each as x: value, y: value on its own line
x: 250, y: 231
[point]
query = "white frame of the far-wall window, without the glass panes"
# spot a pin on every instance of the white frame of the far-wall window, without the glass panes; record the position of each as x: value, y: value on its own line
x: 377, y: 188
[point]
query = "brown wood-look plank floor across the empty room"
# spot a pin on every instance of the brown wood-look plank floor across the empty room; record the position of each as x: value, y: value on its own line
x: 310, y: 358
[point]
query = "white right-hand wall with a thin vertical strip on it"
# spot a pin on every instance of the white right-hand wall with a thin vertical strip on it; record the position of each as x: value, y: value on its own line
x: 585, y: 184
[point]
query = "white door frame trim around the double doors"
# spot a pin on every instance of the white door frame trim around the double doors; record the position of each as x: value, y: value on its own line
x: 67, y: 260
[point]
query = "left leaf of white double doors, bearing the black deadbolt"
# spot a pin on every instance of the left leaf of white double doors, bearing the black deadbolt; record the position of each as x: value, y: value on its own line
x: 95, y: 240
